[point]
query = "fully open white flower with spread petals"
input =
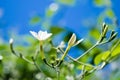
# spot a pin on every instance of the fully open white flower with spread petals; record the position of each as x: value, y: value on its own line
x: 41, y: 35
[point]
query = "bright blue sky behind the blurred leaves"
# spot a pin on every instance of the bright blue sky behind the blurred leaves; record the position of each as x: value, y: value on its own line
x: 15, y: 15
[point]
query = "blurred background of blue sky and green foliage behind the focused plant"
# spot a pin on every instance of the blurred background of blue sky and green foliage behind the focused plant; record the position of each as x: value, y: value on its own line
x: 62, y: 18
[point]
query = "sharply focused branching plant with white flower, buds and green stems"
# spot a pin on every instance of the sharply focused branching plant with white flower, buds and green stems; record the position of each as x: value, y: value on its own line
x: 59, y: 61
